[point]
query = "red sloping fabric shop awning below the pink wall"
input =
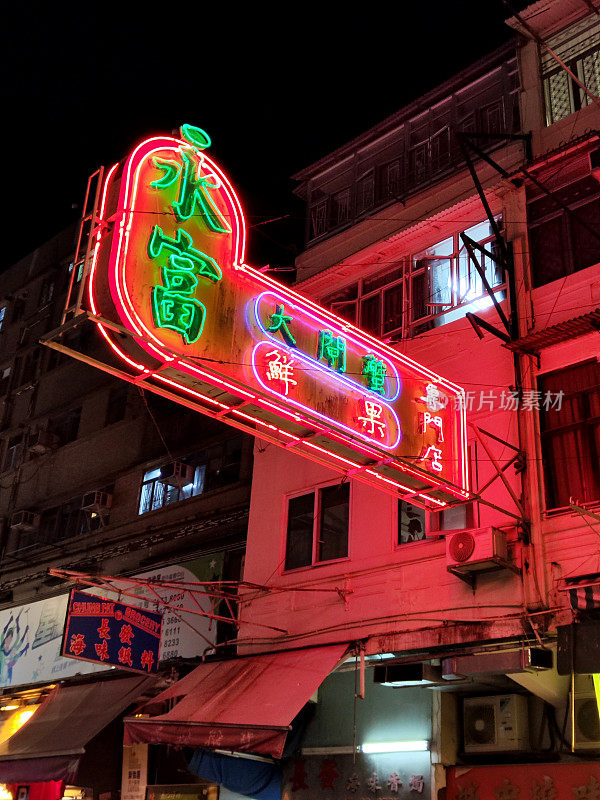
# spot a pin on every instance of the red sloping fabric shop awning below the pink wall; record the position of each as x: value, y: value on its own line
x: 245, y: 704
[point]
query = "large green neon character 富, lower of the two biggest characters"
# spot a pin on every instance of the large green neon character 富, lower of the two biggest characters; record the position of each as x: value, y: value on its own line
x: 172, y: 305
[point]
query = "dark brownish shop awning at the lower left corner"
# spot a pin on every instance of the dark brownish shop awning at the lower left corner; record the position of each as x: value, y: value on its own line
x: 50, y: 745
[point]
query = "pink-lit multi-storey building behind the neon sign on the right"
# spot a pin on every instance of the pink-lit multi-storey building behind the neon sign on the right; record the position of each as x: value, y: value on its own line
x: 462, y: 594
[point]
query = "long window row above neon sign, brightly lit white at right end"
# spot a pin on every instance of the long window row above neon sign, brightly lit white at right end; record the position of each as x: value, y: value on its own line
x: 438, y: 285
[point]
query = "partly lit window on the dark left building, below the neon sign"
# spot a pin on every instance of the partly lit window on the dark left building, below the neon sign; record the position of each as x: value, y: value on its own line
x: 211, y: 468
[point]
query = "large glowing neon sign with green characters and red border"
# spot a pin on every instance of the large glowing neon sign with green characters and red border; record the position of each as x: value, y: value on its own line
x: 212, y: 332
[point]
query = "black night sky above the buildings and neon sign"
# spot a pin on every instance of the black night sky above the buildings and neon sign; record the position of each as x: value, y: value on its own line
x: 276, y: 87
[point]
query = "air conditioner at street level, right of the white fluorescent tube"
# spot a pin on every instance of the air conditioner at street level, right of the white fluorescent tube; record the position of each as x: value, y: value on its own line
x: 495, y: 724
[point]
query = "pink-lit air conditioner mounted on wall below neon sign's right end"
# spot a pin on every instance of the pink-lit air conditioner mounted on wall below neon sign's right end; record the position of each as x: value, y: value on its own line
x: 475, y: 550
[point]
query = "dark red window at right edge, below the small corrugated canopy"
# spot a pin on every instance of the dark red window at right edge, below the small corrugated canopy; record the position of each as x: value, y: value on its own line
x: 570, y: 425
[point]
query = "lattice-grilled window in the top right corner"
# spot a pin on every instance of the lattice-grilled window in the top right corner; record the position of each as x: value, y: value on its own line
x: 579, y: 48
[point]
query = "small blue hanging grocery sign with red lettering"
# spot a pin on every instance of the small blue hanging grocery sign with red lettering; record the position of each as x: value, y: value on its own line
x: 110, y: 633
